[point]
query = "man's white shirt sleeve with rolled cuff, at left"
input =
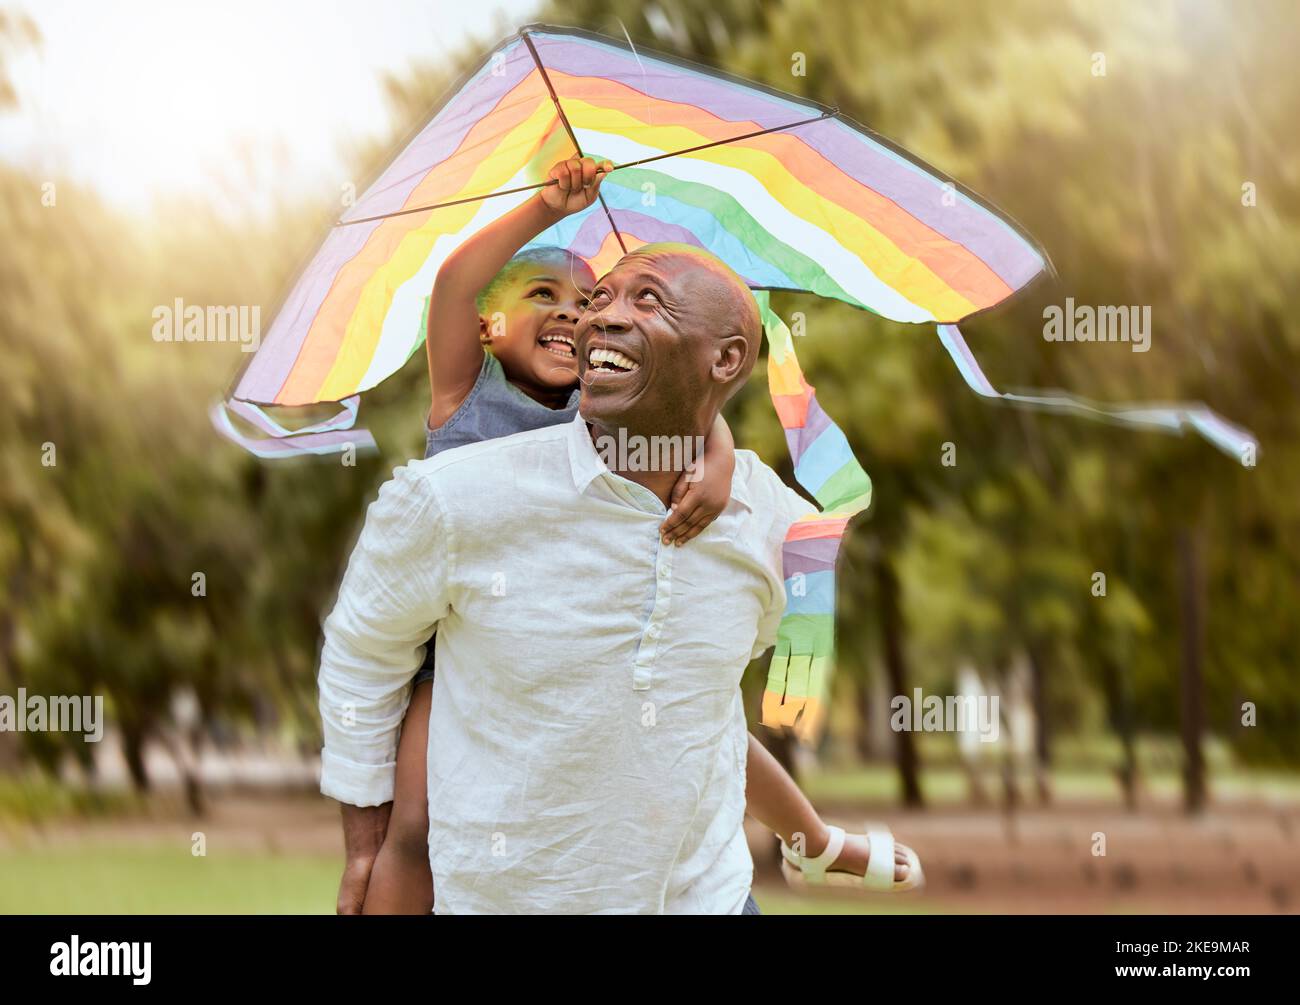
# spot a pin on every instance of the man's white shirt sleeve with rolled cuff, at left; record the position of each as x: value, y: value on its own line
x: 389, y: 604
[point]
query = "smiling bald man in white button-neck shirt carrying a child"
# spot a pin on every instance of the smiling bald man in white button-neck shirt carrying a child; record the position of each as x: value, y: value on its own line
x: 587, y: 742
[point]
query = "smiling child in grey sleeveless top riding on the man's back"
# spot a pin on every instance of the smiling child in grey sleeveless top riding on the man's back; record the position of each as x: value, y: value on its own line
x: 522, y: 307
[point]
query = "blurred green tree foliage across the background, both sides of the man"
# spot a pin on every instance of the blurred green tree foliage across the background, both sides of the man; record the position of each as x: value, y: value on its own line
x: 1133, y: 181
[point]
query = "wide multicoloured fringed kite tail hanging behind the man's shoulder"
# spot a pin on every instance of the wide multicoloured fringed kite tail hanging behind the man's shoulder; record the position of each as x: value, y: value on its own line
x: 799, y: 681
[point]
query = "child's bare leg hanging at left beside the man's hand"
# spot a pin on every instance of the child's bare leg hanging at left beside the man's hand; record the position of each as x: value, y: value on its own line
x: 402, y: 882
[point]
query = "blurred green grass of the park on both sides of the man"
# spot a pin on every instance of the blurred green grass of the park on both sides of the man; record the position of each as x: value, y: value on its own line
x: 97, y: 870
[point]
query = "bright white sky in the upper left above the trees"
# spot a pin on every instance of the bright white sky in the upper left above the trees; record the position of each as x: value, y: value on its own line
x: 148, y: 98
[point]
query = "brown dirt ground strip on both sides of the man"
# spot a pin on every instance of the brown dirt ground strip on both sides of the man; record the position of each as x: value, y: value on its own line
x: 1240, y: 860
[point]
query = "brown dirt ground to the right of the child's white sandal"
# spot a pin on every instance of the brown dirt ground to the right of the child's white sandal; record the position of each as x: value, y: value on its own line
x: 1245, y: 860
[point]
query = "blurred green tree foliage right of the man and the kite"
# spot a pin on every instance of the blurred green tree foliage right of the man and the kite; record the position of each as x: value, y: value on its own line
x: 1134, y: 184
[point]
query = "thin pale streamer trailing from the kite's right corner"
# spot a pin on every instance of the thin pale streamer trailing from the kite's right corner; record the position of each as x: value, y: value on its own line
x: 1232, y: 440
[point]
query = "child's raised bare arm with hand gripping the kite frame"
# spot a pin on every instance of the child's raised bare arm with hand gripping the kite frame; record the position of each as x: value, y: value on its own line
x: 453, y: 339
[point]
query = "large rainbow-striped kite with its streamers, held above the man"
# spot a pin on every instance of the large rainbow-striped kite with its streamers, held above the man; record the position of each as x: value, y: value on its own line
x: 791, y: 194
